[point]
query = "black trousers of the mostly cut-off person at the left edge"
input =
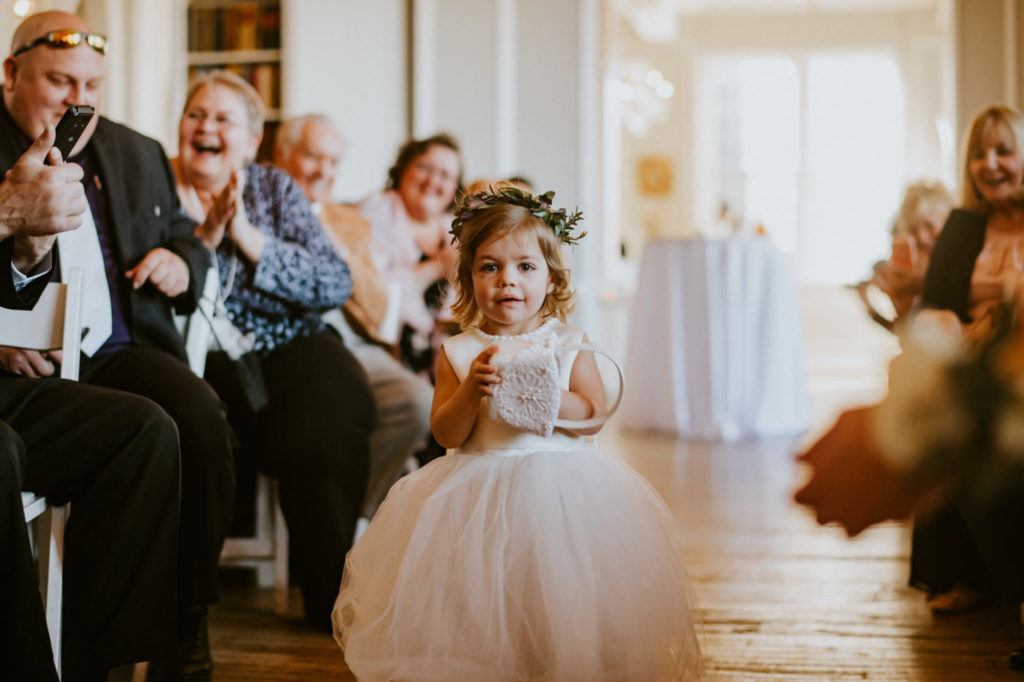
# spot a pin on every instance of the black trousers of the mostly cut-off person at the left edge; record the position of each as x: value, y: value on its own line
x: 115, y: 458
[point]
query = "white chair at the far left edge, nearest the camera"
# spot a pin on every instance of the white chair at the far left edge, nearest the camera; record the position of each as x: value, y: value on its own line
x: 54, y: 324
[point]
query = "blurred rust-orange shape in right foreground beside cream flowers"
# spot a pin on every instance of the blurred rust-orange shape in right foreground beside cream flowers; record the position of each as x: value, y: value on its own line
x: 850, y: 483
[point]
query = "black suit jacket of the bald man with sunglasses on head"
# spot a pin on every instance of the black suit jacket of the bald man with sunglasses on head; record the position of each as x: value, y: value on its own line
x: 144, y: 214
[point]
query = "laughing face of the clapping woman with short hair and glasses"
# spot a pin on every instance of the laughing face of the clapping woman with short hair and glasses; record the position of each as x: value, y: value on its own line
x: 215, y: 139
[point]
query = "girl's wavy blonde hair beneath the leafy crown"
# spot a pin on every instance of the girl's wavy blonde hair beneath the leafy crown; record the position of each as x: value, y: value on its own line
x: 501, y: 221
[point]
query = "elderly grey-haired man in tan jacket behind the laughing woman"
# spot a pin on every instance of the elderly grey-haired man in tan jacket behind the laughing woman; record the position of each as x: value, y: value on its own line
x: 311, y: 150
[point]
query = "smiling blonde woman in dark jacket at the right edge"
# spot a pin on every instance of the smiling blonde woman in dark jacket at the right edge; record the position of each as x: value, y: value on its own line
x: 959, y: 559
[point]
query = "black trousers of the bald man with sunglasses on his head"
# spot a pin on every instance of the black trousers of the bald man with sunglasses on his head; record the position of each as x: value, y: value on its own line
x: 207, y: 459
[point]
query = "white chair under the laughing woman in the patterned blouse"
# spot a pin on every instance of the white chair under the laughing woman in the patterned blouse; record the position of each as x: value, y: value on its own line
x: 268, y: 550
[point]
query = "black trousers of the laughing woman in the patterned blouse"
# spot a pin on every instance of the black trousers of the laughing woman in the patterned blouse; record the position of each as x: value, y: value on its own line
x: 315, y: 438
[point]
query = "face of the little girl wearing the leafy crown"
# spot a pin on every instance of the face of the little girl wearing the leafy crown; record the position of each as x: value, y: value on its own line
x: 511, y: 281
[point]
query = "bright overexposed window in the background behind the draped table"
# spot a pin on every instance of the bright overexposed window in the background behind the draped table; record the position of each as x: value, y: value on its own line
x: 810, y: 146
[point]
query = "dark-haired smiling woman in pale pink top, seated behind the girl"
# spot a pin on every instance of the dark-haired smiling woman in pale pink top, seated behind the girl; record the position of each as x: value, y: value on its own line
x: 412, y: 248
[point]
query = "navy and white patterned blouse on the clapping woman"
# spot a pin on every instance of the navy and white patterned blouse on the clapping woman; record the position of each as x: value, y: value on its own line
x: 300, y: 276
